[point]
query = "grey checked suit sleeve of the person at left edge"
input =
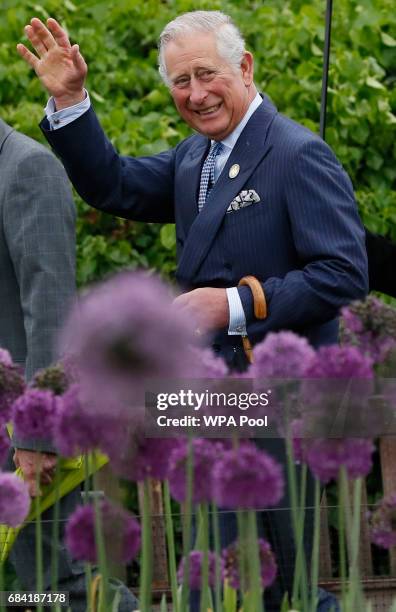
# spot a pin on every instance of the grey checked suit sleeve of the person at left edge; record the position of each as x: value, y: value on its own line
x: 39, y: 225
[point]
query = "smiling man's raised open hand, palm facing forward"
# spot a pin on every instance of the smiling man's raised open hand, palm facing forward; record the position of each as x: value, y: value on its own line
x: 58, y: 64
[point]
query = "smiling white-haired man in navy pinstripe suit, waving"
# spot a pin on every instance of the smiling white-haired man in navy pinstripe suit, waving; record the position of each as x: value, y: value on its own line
x: 251, y: 193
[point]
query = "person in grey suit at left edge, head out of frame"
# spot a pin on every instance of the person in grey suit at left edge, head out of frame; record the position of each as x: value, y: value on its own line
x: 37, y: 283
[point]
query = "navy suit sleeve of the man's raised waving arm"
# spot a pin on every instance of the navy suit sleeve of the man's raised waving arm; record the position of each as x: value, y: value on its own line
x: 138, y: 188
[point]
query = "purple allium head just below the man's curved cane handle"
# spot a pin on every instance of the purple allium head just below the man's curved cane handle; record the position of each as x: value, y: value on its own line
x: 281, y: 355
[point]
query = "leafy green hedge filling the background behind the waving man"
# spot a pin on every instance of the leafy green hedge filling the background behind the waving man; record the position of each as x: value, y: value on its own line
x: 118, y: 40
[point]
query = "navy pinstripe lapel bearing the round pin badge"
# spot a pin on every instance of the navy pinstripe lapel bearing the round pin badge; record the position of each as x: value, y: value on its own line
x: 250, y: 149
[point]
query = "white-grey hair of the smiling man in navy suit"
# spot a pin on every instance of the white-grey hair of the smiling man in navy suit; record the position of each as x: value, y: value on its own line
x: 229, y: 41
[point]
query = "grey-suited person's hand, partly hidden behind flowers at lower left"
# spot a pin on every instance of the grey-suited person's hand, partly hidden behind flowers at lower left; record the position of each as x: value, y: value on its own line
x: 33, y: 462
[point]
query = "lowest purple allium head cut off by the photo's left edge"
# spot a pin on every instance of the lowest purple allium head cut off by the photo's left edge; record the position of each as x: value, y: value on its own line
x: 14, y: 500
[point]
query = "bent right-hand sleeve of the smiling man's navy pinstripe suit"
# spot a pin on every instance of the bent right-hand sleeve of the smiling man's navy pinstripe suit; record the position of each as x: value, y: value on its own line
x: 329, y: 241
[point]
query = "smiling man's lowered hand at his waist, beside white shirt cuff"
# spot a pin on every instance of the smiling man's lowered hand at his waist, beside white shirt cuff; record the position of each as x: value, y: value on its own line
x: 207, y: 306
